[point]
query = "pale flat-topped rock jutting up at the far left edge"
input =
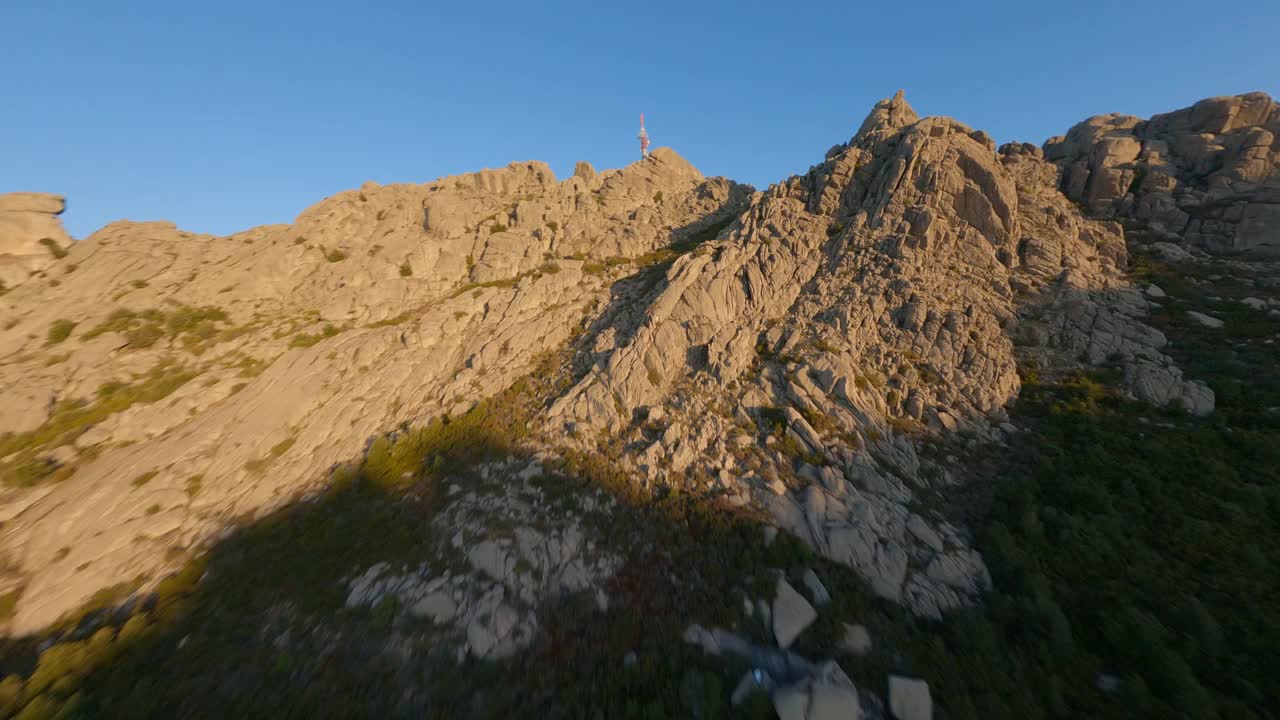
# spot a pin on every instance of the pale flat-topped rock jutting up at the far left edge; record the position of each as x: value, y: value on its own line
x: 31, y: 235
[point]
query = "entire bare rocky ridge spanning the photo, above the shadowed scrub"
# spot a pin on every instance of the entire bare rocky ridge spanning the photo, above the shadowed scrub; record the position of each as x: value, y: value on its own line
x: 789, y: 349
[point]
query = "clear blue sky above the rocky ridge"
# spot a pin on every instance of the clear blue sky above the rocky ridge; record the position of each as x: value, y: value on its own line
x: 226, y: 115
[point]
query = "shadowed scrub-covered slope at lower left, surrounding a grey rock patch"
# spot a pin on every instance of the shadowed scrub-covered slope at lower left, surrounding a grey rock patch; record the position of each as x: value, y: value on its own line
x: 257, y: 625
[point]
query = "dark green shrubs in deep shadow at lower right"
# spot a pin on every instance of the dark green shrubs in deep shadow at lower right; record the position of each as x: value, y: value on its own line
x: 1128, y: 544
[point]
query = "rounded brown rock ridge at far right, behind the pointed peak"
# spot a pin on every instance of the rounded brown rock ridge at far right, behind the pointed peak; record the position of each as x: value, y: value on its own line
x: 1208, y: 175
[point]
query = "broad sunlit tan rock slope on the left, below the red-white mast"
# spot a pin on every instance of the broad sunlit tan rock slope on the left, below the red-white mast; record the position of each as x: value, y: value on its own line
x: 258, y: 362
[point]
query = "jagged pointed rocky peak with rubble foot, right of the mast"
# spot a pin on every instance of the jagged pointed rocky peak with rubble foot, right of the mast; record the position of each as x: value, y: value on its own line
x: 876, y: 295
